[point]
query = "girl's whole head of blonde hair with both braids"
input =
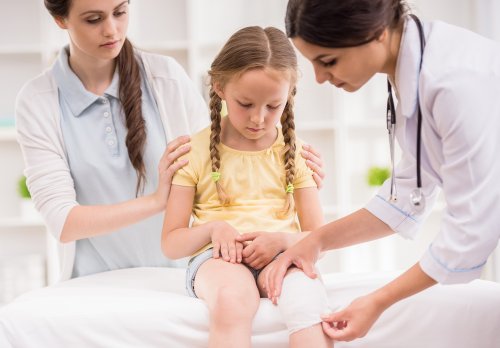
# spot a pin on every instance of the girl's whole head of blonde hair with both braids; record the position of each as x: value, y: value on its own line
x: 255, y: 48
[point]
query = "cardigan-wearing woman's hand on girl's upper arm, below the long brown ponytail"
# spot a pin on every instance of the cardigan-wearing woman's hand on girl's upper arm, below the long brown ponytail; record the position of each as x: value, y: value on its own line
x: 167, y: 168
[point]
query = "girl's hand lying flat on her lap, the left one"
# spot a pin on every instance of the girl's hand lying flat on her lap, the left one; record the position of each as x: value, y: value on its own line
x: 225, y: 244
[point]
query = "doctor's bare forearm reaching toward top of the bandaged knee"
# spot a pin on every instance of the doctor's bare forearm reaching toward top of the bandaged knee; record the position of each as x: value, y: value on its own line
x: 358, y: 227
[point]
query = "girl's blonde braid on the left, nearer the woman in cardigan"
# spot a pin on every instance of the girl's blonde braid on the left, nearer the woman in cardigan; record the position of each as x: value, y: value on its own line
x: 215, y: 127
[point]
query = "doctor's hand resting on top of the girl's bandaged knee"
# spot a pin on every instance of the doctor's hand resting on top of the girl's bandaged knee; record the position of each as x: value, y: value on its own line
x: 303, y: 255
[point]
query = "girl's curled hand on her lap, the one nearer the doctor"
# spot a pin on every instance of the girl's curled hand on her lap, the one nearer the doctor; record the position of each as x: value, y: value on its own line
x: 261, y: 247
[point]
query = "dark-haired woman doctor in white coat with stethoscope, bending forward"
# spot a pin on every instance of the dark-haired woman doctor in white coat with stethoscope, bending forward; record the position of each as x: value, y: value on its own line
x: 447, y: 123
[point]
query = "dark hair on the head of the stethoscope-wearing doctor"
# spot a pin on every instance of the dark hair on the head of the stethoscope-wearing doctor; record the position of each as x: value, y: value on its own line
x: 342, y: 23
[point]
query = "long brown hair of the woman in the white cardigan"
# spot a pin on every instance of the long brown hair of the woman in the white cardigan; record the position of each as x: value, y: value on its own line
x: 130, y: 96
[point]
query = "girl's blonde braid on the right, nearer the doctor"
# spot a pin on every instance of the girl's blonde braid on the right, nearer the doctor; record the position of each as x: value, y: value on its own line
x: 288, y: 129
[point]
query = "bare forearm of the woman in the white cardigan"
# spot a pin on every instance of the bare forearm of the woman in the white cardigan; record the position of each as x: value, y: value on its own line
x: 89, y: 221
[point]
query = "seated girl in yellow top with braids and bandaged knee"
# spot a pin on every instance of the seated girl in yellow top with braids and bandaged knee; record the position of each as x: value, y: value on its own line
x: 245, y: 175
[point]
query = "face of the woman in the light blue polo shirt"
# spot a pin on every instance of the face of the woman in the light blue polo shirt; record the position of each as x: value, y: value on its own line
x: 97, y: 28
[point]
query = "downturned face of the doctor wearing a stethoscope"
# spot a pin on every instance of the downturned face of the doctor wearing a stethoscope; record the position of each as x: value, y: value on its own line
x: 347, y: 68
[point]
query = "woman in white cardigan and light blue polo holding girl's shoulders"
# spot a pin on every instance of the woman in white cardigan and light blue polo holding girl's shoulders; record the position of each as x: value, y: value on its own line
x: 94, y: 129
